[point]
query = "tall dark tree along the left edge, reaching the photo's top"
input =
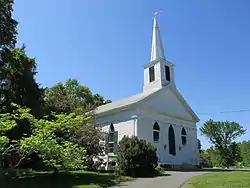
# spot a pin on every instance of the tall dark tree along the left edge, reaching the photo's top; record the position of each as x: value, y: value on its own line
x: 17, y: 70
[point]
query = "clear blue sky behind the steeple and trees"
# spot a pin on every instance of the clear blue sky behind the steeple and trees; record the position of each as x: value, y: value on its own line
x: 104, y: 45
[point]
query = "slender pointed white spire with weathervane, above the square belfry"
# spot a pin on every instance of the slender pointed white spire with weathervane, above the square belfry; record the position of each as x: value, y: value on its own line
x: 157, y: 50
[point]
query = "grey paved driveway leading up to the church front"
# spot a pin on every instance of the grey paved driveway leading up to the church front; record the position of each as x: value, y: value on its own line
x: 173, y: 180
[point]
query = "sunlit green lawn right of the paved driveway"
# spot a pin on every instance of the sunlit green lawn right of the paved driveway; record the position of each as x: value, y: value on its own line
x: 220, y: 180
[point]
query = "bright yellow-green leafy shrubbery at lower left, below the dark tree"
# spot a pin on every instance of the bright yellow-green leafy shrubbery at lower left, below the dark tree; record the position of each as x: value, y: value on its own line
x: 55, y: 152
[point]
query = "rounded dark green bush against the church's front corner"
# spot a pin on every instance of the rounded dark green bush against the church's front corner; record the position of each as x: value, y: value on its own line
x: 136, y: 157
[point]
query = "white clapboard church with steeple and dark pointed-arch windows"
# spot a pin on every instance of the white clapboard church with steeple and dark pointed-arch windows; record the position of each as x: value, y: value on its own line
x: 160, y: 115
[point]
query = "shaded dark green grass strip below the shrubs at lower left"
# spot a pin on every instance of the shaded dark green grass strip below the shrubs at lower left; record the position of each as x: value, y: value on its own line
x: 75, y: 179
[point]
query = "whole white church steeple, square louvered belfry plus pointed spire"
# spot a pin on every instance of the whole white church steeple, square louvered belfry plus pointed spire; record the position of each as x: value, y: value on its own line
x: 158, y: 72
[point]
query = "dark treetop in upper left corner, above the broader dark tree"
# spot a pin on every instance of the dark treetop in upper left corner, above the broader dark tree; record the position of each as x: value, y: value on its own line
x: 8, y: 25
